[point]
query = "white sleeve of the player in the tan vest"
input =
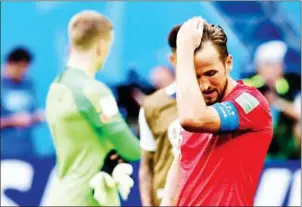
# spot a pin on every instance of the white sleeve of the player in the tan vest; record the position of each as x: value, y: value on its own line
x: 147, y: 141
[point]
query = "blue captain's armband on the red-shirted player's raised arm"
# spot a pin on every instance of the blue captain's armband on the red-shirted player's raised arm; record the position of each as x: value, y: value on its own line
x: 229, y: 116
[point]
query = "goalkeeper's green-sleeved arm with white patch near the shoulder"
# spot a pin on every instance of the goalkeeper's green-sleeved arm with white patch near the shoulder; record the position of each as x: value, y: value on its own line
x: 108, y: 121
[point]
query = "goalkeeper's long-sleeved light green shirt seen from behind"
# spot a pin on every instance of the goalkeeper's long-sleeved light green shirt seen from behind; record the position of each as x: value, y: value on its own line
x: 85, y: 124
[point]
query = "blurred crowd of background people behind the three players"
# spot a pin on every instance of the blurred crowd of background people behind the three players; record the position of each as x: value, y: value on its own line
x: 20, y: 114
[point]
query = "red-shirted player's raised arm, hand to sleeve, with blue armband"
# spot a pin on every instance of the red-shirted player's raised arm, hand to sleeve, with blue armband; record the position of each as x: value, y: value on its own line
x: 194, y: 114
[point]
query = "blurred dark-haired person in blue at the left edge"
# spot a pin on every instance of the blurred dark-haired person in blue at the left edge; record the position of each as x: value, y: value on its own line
x: 19, y: 110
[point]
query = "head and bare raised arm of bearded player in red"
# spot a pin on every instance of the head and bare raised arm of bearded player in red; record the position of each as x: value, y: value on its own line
x: 202, y: 70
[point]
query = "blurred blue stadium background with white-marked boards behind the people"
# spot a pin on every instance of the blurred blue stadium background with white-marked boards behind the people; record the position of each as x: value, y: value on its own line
x: 140, y: 43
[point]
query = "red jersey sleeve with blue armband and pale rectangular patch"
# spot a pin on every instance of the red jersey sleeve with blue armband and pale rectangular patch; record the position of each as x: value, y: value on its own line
x: 246, y: 111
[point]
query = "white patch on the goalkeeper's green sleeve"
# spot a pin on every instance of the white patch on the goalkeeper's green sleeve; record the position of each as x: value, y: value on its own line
x: 108, y: 106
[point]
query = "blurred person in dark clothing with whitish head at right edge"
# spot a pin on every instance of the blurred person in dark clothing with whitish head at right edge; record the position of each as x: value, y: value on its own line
x: 280, y: 90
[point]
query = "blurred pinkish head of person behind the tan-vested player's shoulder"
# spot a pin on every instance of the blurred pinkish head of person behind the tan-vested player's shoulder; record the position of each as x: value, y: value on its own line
x: 161, y: 77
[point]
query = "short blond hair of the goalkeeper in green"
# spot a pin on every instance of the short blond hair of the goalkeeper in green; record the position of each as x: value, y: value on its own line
x: 87, y: 27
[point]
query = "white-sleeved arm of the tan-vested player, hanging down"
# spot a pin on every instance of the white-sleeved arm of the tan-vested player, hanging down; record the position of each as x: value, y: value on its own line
x: 148, y: 146
